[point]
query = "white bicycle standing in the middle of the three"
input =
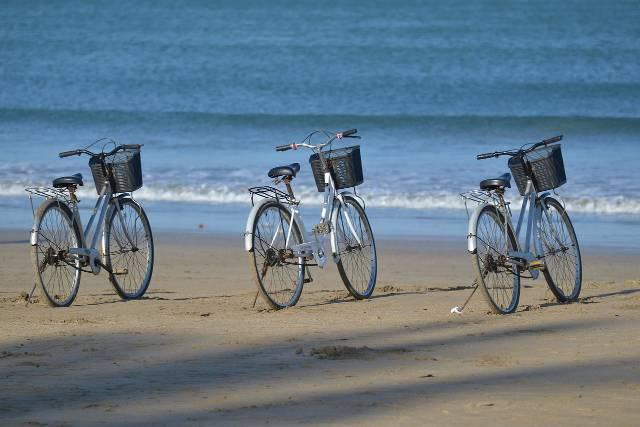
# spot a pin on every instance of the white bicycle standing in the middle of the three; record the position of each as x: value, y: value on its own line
x: 276, y: 239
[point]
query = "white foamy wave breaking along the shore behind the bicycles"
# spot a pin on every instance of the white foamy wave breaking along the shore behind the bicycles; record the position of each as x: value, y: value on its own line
x: 208, y: 194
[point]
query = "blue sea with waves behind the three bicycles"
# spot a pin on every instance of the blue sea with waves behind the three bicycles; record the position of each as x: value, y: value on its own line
x: 210, y: 87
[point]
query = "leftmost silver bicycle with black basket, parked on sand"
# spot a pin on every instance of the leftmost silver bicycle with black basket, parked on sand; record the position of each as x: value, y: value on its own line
x: 60, y: 252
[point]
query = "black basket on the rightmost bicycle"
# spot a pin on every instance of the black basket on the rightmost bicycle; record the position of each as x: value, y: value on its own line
x: 547, y: 169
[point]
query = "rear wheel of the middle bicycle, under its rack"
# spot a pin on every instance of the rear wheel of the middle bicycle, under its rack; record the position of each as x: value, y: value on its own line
x: 279, y: 275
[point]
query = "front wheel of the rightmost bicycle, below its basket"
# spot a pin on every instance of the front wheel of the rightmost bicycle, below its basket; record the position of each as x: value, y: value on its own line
x: 563, y: 265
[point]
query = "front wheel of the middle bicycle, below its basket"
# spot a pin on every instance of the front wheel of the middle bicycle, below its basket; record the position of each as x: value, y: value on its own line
x: 357, y: 260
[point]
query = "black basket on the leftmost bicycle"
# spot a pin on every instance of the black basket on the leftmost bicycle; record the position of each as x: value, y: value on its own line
x: 123, y: 171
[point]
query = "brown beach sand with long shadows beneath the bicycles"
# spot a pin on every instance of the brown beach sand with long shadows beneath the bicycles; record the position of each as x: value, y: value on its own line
x: 195, y: 352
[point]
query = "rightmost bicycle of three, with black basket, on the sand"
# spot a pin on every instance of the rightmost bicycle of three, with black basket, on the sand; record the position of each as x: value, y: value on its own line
x: 550, y: 245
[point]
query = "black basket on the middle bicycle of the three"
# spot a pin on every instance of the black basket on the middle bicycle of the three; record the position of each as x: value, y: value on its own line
x: 344, y: 165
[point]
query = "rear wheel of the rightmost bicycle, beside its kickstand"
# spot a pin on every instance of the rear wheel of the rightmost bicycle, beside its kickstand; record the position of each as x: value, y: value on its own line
x: 496, y: 278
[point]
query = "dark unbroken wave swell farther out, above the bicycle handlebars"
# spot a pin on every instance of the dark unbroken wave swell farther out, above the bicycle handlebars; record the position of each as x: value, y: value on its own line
x: 570, y: 122
